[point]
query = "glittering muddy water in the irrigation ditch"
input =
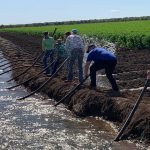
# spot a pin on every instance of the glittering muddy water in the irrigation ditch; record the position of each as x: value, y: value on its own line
x: 35, y: 124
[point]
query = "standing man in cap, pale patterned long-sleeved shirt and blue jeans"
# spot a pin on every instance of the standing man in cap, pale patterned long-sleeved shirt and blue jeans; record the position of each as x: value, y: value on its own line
x: 75, y: 48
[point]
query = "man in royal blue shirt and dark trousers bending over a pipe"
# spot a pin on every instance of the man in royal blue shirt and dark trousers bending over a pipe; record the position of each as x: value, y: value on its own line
x: 103, y: 59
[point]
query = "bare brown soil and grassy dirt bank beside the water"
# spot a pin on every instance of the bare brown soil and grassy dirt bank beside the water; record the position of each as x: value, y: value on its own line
x: 130, y: 73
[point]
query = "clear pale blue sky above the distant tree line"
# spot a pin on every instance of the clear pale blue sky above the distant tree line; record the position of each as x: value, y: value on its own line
x: 40, y: 11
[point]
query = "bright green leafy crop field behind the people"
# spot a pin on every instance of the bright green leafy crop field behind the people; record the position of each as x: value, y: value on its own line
x: 127, y: 34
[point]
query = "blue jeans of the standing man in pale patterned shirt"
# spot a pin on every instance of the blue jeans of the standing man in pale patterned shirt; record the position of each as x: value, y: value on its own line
x: 75, y: 54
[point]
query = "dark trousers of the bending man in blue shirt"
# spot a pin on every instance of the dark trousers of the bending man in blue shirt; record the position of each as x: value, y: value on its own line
x: 109, y: 67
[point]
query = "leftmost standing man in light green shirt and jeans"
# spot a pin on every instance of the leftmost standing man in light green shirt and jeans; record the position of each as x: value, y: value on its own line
x: 48, y: 47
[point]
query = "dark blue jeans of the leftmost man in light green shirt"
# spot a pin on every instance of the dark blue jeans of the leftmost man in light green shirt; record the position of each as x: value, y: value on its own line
x: 47, y: 54
